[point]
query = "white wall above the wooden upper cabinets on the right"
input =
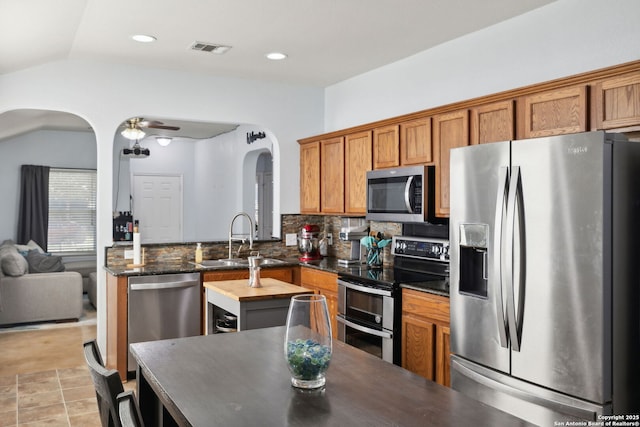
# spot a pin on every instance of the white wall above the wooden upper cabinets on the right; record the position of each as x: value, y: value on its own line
x: 564, y: 38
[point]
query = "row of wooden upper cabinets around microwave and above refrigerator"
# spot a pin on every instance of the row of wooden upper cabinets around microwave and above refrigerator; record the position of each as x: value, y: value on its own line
x: 606, y: 99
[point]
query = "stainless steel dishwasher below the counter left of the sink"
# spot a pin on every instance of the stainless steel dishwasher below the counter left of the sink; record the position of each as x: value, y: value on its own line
x: 161, y: 307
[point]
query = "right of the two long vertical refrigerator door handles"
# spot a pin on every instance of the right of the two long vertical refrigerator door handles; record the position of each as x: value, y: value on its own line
x: 514, y: 206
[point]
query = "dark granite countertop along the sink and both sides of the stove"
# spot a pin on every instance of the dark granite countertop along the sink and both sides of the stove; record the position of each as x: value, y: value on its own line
x: 329, y: 264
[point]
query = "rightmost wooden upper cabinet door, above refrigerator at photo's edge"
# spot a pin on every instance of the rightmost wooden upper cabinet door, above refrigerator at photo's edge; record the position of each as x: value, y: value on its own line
x: 618, y: 102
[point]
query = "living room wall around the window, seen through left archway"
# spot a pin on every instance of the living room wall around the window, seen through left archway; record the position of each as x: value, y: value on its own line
x: 47, y: 148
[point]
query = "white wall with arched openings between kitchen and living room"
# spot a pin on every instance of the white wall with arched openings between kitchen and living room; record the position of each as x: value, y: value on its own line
x: 102, y: 94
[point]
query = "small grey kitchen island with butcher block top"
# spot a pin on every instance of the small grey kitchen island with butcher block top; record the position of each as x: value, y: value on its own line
x: 254, y: 308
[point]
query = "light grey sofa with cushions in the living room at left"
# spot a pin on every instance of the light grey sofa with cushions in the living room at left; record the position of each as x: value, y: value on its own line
x: 36, y: 287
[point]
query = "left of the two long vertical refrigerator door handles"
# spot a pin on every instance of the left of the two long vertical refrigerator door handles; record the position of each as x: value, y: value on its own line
x: 498, y: 255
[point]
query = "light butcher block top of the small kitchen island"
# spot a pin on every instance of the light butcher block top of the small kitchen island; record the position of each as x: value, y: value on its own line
x: 271, y: 288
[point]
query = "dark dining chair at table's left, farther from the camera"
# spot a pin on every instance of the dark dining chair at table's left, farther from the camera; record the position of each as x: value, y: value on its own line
x: 107, y: 384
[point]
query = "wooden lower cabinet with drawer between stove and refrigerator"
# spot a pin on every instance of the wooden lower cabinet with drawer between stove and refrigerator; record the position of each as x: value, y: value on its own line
x: 426, y: 335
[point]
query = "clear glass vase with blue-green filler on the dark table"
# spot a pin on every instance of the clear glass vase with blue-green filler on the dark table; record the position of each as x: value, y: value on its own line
x: 307, y: 342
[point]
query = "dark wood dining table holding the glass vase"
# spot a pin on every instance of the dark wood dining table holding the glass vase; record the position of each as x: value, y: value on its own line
x: 241, y: 379
